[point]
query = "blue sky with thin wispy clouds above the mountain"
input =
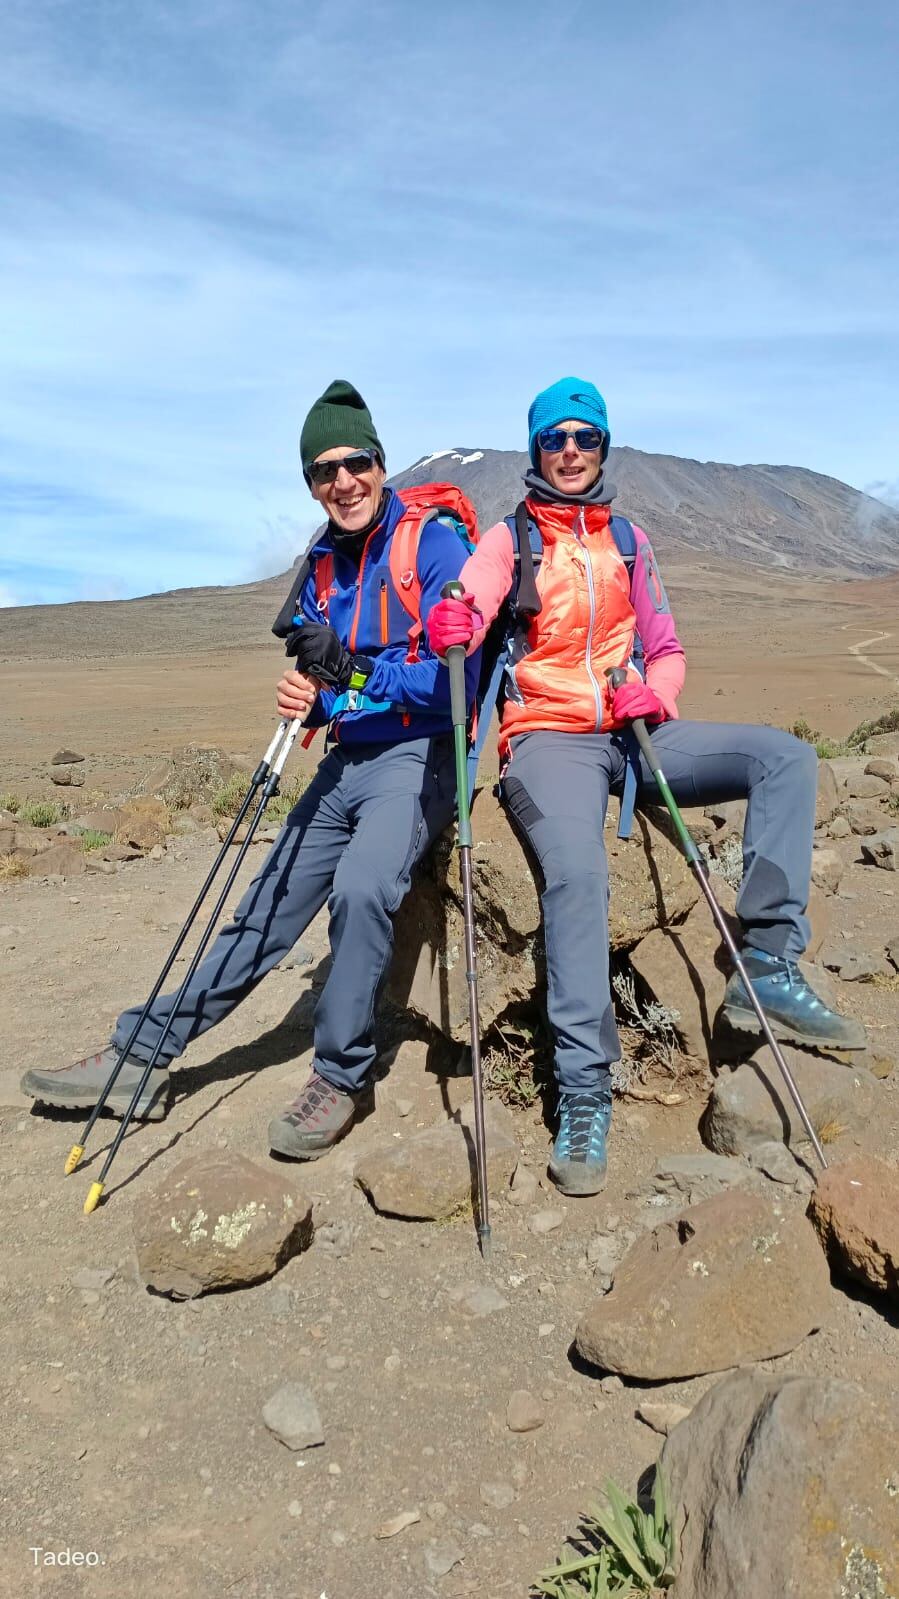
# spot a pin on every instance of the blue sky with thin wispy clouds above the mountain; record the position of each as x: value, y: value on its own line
x: 215, y: 207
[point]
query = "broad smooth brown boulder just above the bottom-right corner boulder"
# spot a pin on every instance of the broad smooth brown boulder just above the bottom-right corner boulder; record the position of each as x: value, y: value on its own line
x: 733, y: 1280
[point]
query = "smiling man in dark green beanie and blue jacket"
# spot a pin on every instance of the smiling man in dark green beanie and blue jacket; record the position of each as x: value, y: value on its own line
x: 383, y: 794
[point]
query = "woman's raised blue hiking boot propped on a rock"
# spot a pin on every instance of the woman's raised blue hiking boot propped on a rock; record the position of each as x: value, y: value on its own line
x: 791, y: 1005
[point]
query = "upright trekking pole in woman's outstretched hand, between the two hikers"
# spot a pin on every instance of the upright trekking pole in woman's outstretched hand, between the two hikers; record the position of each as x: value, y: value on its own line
x: 457, y: 664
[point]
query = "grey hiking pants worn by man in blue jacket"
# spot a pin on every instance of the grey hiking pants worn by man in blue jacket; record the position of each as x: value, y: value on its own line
x: 353, y: 840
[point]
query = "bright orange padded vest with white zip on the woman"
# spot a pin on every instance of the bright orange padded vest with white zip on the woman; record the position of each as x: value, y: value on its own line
x: 586, y: 626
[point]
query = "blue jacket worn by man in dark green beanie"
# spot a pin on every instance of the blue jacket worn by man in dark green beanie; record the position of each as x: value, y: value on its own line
x: 402, y: 700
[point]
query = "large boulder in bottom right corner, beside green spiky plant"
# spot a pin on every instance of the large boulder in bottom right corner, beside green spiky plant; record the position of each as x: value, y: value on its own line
x: 786, y: 1488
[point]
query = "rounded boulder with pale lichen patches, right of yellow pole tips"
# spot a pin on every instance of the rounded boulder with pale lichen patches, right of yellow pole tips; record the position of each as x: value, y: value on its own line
x: 218, y: 1222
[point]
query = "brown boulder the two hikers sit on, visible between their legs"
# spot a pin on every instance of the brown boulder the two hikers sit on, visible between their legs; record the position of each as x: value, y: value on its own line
x: 650, y: 887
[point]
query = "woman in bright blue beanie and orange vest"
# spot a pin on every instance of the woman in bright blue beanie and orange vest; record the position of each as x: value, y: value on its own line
x: 564, y: 749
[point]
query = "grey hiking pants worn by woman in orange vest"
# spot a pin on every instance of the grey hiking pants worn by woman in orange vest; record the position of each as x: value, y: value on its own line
x: 557, y: 788
